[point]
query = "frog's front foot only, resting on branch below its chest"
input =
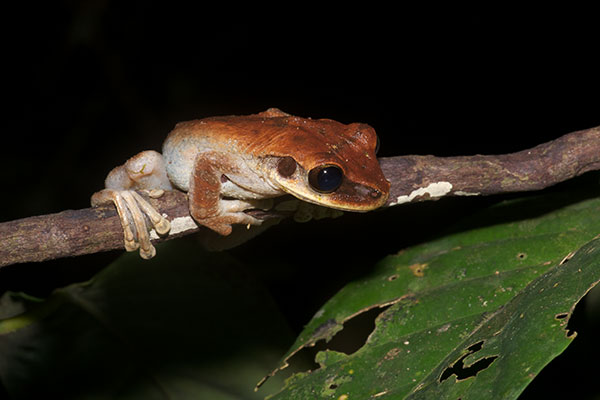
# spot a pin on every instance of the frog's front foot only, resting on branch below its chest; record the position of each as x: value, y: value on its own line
x: 232, y: 212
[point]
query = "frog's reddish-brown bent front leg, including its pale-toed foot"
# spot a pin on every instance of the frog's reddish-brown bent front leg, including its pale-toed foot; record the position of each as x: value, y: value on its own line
x: 207, y: 205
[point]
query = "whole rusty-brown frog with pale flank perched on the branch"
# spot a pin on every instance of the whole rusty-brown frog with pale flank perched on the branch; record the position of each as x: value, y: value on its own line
x: 228, y: 165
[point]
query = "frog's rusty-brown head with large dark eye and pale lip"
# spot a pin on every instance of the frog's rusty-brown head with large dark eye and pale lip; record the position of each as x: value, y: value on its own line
x: 327, y: 163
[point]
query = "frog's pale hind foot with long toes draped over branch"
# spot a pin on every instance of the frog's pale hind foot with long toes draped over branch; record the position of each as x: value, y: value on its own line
x: 133, y: 210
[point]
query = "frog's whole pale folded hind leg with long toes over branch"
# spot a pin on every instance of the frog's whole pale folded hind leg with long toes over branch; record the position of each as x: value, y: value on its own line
x: 145, y: 171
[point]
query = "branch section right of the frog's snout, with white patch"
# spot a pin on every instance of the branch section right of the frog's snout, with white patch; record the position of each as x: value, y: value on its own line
x: 418, y: 178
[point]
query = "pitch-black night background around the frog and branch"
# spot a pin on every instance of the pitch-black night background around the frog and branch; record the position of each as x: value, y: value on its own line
x: 88, y: 84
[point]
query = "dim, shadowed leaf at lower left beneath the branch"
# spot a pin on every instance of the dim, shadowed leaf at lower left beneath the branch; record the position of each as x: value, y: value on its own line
x: 186, y: 325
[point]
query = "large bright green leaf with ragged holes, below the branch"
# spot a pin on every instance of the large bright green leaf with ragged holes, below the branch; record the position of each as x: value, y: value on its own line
x: 476, y: 314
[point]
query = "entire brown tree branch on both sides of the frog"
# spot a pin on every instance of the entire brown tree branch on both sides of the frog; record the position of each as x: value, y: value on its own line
x: 413, y: 178
